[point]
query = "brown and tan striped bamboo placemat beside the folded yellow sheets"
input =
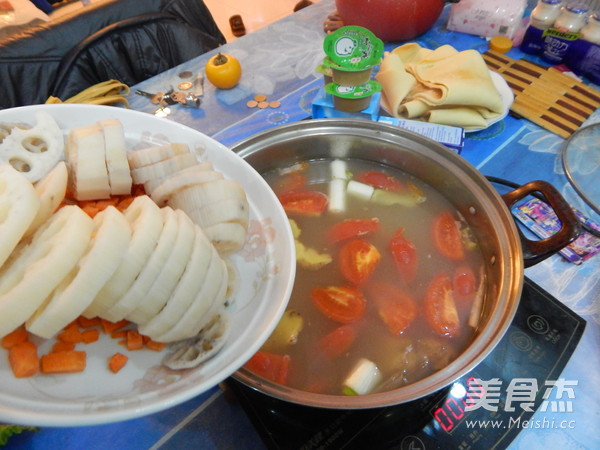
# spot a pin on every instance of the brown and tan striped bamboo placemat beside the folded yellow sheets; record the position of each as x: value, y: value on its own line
x: 546, y: 96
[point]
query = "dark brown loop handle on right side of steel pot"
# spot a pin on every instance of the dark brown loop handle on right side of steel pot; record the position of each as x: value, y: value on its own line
x: 536, y: 251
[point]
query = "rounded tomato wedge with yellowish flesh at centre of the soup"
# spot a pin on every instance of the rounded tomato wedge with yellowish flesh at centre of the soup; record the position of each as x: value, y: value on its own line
x: 358, y: 260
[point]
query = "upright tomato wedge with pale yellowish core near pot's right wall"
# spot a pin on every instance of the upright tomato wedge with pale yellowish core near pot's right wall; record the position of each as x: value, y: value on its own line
x: 440, y: 307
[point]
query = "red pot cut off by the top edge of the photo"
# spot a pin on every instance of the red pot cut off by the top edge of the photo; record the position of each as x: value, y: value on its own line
x: 391, y: 20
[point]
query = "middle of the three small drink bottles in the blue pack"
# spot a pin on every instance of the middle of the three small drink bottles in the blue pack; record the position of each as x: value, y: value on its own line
x: 565, y: 31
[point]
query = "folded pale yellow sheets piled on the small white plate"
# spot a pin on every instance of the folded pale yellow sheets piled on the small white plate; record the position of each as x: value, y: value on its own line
x: 441, y: 86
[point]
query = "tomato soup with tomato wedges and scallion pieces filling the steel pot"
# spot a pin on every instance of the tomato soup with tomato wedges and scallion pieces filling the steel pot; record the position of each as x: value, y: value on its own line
x: 387, y: 285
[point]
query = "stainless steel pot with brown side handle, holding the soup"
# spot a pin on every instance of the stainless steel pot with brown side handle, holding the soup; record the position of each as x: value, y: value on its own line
x: 506, y: 251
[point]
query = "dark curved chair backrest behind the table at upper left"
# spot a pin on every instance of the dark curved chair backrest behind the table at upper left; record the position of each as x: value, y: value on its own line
x: 130, y: 51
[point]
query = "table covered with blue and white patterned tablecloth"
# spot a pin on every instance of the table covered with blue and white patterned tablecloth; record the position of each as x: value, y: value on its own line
x: 279, y: 61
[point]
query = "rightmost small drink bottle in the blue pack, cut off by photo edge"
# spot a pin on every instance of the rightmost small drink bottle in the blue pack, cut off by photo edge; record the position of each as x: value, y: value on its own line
x: 583, y: 57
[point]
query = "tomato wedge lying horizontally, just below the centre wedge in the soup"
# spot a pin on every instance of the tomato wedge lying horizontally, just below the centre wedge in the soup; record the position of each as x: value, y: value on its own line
x: 343, y: 304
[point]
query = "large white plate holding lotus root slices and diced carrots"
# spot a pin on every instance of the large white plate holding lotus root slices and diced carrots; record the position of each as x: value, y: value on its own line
x: 266, y: 270
